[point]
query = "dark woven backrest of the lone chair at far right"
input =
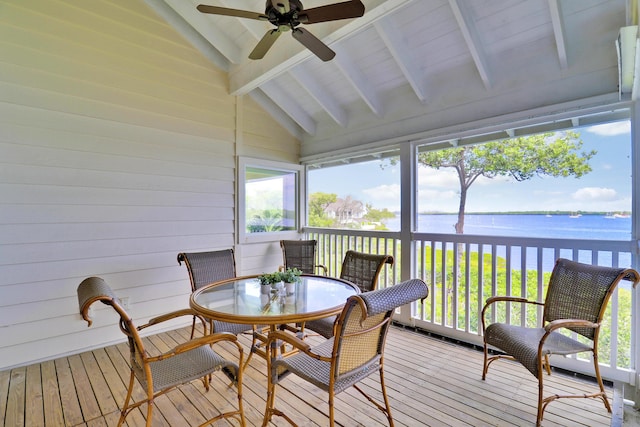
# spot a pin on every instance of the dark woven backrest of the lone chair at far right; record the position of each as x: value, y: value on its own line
x: 582, y: 291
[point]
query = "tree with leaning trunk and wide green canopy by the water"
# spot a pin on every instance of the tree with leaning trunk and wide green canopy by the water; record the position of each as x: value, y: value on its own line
x: 550, y: 154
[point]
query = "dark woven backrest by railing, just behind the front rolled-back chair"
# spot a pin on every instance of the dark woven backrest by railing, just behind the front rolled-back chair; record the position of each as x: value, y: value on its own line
x: 363, y: 269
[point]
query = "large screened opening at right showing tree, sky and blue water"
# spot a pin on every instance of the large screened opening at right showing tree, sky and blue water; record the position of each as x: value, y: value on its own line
x: 567, y: 183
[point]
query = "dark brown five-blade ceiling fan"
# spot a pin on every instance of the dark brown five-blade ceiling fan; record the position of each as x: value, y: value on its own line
x: 286, y: 15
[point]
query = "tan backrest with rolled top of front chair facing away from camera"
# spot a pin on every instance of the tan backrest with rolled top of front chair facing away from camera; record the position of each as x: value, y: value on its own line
x: 362, y: 327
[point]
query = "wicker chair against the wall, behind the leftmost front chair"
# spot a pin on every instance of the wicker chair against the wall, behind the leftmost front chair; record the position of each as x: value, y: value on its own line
x: 208, y: 267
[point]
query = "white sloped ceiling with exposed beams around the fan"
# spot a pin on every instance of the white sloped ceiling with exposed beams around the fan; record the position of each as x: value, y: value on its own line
x: 409, y: 68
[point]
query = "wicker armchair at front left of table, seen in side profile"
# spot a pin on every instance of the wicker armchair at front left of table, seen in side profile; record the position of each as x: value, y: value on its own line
x: 161, y: 373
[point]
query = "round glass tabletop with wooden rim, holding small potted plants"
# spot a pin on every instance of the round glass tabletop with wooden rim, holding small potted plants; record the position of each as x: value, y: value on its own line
x: 244, y: 300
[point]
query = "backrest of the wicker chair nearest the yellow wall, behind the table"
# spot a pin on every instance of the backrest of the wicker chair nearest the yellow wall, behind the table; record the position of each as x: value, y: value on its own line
x: 208, y: 267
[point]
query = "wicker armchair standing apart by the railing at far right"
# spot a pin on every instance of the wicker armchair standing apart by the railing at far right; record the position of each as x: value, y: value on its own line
x: 576, y: 301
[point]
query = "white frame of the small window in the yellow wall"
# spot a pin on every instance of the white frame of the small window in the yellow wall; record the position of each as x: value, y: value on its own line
x: 299, y: 189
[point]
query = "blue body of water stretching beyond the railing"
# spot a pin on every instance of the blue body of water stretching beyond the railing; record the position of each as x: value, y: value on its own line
x: 598, y: 227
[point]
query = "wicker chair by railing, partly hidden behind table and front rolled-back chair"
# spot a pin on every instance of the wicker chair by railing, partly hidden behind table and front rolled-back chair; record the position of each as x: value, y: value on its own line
x: 362, y: 270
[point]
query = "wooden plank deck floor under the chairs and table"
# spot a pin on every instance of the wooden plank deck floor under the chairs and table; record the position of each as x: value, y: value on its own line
x: 430, y: 382
